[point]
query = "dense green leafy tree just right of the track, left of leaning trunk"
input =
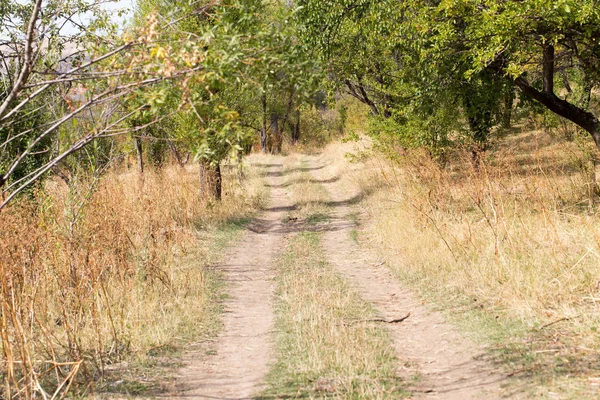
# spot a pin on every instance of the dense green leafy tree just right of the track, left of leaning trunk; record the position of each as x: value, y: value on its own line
x: 384, y: 54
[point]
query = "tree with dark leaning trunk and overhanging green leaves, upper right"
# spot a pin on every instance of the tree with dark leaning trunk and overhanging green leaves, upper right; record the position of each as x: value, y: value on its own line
x: 544, y: 47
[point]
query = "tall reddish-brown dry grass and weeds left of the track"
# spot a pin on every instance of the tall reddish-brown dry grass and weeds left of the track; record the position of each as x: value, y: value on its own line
x: 92, y: 274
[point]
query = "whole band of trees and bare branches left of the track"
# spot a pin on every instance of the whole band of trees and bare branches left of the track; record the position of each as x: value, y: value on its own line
x: 200, y: 80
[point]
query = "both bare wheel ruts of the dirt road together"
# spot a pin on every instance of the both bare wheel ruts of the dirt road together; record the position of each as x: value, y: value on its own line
x: 447, y: 365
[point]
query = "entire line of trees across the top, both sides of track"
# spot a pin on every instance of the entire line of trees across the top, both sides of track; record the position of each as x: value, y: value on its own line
x: 207, y: 80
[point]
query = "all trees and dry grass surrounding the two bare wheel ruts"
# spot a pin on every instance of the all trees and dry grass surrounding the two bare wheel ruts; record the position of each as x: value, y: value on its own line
x: 123, y: 173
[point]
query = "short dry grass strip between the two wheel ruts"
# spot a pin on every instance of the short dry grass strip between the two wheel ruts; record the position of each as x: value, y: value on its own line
x: 320, y: 354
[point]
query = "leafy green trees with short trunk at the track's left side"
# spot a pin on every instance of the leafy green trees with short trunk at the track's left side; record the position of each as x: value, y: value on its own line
x: 255, y: 74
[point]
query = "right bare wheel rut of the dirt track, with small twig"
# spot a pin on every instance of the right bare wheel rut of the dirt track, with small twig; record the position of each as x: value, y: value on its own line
x: 448, y: 365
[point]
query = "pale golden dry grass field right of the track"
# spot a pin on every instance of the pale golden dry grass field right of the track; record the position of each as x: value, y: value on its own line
x: 509, y: 248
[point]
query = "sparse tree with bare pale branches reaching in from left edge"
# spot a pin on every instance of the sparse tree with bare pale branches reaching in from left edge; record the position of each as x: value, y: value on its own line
x: 66, y: 70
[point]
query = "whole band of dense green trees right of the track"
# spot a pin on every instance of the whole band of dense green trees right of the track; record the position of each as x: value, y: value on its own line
x: 440, y: 74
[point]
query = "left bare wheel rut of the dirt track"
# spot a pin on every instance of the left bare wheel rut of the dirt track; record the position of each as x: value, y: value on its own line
x: 238, y: 360
